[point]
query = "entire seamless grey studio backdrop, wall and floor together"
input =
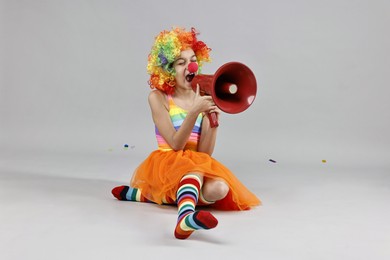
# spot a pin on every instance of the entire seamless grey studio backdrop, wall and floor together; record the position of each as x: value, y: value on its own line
x: 74, y: 89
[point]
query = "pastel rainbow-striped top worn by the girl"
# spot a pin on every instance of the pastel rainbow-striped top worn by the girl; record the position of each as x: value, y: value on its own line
x: 177, y: 115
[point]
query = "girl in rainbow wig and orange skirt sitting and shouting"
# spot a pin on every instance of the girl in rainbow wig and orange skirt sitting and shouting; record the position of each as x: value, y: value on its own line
x: 182, y: 170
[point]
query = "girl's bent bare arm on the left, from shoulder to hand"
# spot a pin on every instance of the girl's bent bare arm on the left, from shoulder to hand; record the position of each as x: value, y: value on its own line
x: 159, y: 107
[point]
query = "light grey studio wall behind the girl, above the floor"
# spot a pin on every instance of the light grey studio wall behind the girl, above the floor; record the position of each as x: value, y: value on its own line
x: 73, y: 76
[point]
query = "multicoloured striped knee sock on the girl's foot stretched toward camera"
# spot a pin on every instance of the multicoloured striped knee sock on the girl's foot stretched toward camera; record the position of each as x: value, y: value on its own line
x: 190, y: 220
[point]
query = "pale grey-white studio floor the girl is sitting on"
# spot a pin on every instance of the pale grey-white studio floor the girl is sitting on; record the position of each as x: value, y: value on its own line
x: 61, y: 208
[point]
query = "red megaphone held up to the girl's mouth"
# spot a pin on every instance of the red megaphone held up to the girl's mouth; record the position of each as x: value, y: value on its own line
x: 233, y: 88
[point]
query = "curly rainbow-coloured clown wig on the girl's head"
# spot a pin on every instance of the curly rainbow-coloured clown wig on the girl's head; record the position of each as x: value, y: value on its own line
x: 166, y: 48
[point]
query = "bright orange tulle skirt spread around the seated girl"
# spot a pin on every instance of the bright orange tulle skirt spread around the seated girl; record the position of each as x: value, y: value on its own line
x: 158, y: 177
